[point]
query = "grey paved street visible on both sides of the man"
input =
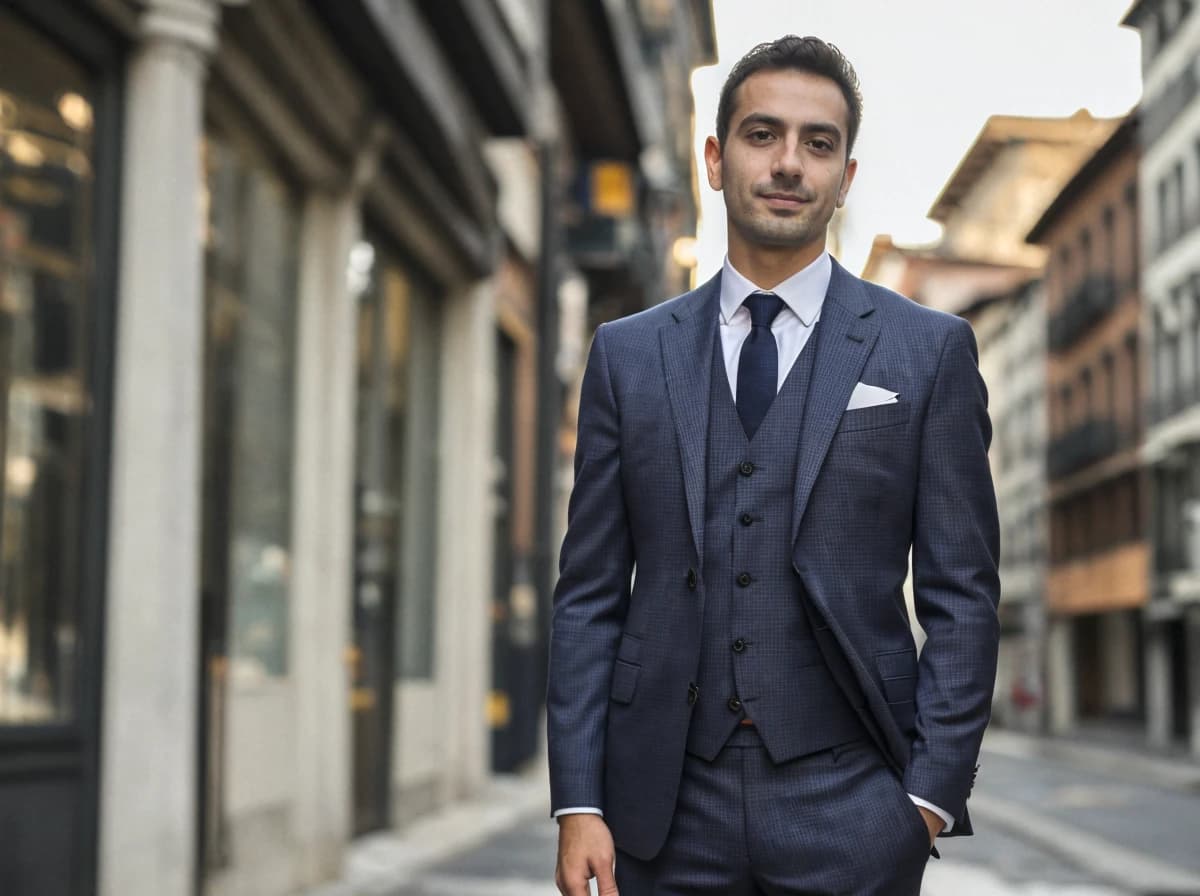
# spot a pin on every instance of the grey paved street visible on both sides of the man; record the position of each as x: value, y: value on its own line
x: 1083, y: 822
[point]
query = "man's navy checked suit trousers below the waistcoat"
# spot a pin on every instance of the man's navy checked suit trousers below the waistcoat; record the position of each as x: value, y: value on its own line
x: 837, y: 822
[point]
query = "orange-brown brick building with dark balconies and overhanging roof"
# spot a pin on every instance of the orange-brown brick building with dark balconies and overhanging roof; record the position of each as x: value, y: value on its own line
x: 1099, y: 573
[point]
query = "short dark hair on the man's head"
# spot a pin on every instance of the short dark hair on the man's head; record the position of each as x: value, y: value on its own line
x: 802, y: 55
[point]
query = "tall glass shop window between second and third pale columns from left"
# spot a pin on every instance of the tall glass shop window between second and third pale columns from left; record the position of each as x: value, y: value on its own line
x: 397, y: 476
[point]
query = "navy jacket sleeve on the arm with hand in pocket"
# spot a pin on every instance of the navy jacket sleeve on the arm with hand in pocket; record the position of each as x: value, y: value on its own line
x: 956, y: 584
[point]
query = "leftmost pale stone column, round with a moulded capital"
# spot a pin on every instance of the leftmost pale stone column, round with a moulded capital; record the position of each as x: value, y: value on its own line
x: 149, y: 765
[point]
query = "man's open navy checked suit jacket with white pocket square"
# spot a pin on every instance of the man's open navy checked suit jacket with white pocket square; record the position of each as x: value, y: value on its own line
x: 872, y: 484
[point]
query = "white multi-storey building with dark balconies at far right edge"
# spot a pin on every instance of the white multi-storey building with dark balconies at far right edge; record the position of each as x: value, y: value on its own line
x: 1171, y: 282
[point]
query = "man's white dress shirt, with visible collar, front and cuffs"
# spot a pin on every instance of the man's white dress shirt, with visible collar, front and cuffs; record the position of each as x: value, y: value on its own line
x: 803, y: 296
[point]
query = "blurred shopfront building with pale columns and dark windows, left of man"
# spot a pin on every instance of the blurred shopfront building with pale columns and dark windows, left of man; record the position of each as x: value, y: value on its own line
x: 289, y: 323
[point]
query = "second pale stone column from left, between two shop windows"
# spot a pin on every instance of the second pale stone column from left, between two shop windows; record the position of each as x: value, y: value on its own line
x: 323, y: 536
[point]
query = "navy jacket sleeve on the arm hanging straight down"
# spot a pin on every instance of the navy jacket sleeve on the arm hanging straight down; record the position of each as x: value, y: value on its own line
x: 592, y: 597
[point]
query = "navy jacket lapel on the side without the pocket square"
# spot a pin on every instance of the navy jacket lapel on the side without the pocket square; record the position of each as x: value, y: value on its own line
x: 688, y: 368
